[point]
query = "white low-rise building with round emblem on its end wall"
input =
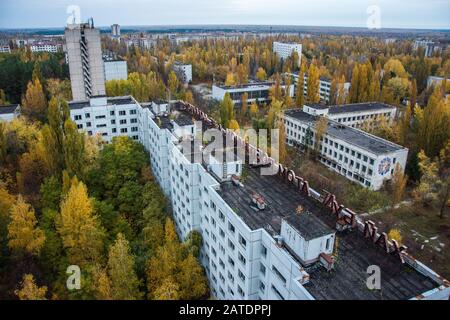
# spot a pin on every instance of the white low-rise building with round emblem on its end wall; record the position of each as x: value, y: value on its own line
x: 355, y: 154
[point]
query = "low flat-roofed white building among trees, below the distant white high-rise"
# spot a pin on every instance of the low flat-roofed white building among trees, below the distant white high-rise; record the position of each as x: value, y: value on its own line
x: 257, y: 91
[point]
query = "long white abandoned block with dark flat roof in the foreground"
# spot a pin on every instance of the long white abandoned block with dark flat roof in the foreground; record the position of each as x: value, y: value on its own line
x: 264, y: 236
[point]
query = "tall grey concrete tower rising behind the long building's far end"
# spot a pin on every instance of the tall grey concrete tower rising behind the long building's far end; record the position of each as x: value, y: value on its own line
x: 85, y: 60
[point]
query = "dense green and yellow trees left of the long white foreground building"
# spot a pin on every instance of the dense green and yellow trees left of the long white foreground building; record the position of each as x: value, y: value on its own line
x: 68, y: 199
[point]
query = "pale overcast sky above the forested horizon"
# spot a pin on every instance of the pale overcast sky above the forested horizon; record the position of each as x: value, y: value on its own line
x: 351, y: 13
